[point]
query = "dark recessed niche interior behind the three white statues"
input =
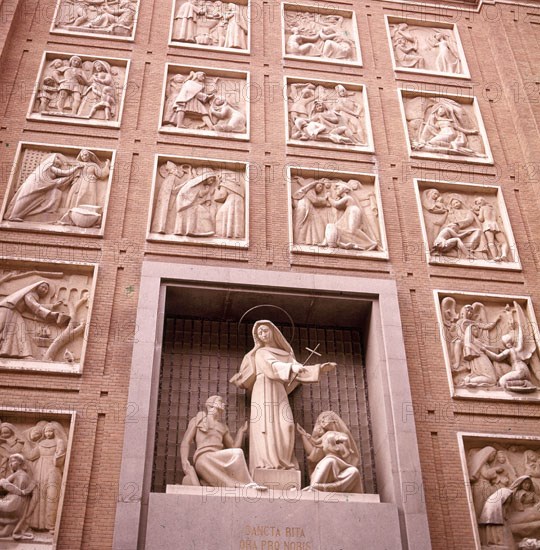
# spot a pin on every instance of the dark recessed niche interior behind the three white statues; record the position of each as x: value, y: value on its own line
x: 204, y: 344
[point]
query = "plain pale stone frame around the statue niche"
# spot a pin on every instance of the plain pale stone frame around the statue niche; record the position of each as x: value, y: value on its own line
x: 397, y: 461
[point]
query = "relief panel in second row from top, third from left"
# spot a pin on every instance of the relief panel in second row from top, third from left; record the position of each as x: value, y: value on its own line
x: 328, y: 114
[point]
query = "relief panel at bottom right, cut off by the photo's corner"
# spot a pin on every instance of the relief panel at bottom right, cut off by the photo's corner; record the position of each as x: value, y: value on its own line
x: 502, y: 476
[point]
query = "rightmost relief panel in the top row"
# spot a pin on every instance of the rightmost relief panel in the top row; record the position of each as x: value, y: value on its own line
x: 426, y: 47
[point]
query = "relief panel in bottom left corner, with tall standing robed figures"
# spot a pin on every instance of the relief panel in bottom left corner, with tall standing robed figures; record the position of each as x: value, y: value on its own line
x: 34, y: 459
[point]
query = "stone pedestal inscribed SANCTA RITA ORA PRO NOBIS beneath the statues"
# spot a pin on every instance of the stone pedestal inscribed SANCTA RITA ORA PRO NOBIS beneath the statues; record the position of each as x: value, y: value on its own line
x: 215, y: 518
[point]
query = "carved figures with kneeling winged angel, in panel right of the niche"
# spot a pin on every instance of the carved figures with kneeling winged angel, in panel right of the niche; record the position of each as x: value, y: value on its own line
x: 481, y: 358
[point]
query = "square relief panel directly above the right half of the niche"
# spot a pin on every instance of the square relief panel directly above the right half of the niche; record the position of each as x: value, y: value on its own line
x: 336, y: 213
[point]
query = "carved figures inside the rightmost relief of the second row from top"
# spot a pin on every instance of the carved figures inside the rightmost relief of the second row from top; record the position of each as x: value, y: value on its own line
x: 442, y: 125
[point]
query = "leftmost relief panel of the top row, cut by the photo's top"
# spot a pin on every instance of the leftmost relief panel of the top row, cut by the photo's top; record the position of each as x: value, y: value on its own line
x: 114, y: 21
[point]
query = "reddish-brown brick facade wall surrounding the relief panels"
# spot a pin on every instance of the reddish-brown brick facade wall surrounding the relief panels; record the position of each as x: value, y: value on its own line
x: 500, y: 42
